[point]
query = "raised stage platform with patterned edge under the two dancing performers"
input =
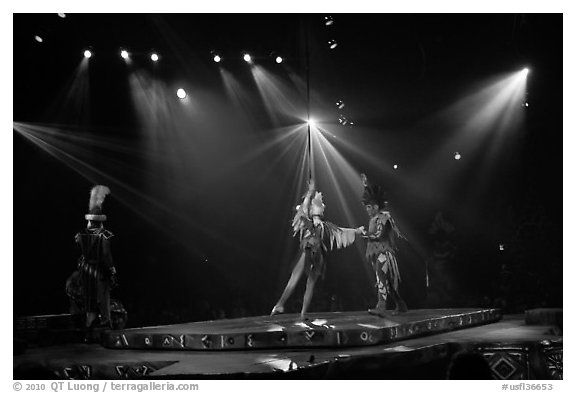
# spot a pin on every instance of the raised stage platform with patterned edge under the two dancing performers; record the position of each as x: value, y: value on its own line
x: 328, y: 330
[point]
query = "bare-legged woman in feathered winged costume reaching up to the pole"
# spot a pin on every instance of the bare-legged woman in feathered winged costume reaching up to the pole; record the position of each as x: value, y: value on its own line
x: 316, y: 235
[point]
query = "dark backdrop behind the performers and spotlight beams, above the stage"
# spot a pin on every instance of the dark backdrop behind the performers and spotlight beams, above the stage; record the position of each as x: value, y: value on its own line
x: 202, y: 232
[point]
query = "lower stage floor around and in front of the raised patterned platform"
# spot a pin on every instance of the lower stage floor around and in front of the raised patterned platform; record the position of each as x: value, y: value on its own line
x: 386, y: 361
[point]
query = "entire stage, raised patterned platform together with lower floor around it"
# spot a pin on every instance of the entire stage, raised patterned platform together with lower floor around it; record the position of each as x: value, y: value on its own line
x: 512, y: 348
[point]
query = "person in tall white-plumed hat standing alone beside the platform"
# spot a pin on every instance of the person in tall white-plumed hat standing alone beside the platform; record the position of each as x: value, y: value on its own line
x: 96, y: 267
